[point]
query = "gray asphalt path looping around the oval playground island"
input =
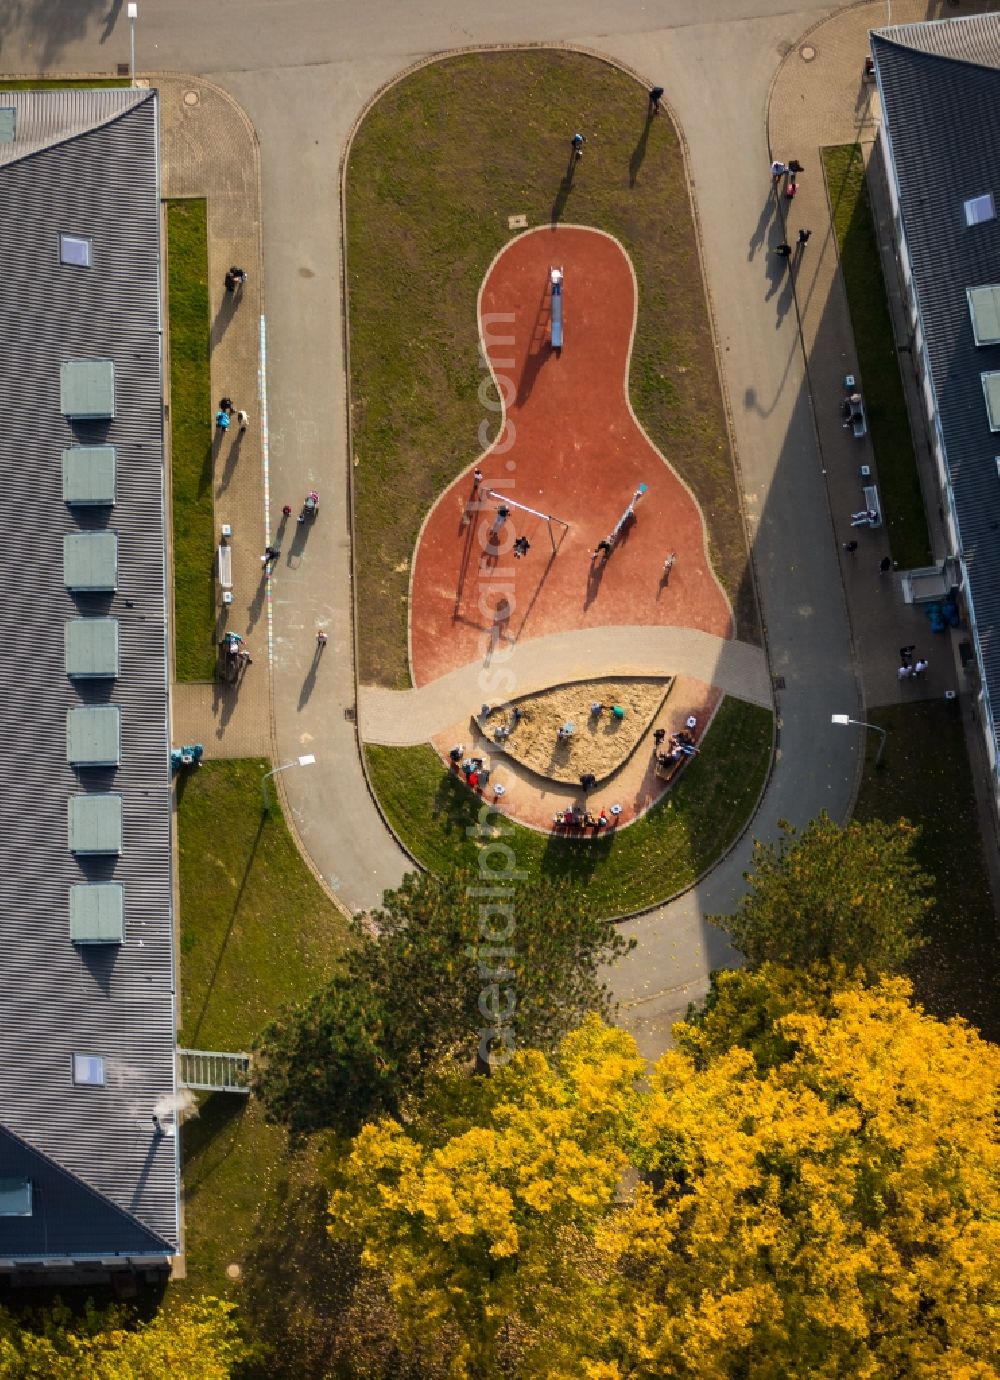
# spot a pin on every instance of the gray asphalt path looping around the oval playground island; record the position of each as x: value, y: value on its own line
x: 304, y: 71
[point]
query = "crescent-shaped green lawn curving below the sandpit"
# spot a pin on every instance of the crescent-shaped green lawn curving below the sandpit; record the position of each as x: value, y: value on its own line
x: 646, y: 863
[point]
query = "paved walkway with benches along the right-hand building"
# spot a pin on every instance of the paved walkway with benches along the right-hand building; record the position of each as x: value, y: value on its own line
x: 820, y: 99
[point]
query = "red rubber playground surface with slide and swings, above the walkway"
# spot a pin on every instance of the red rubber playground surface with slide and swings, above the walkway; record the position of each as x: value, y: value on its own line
x: 570, y: 448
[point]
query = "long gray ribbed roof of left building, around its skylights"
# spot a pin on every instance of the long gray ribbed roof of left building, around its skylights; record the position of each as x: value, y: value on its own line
x: 54, y: 997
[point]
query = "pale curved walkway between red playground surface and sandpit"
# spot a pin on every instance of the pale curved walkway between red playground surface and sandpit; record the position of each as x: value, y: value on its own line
x: 409, y: 717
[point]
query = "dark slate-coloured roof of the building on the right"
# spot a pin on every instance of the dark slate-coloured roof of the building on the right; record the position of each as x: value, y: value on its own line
x: 941, y: 114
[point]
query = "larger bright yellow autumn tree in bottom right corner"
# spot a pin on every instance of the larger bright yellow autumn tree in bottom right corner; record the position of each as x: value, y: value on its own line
x: 837, y: 1214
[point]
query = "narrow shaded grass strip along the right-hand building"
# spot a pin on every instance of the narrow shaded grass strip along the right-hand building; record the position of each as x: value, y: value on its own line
x: 878, y: 358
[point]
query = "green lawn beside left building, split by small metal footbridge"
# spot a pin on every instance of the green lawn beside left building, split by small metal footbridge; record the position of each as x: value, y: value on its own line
x: 257, y: 932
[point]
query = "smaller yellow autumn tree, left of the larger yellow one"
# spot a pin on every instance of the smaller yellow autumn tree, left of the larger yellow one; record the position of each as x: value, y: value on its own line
x: 481, y: 1218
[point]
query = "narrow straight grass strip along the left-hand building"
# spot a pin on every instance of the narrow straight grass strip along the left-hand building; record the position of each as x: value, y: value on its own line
x: 191, y: 440
